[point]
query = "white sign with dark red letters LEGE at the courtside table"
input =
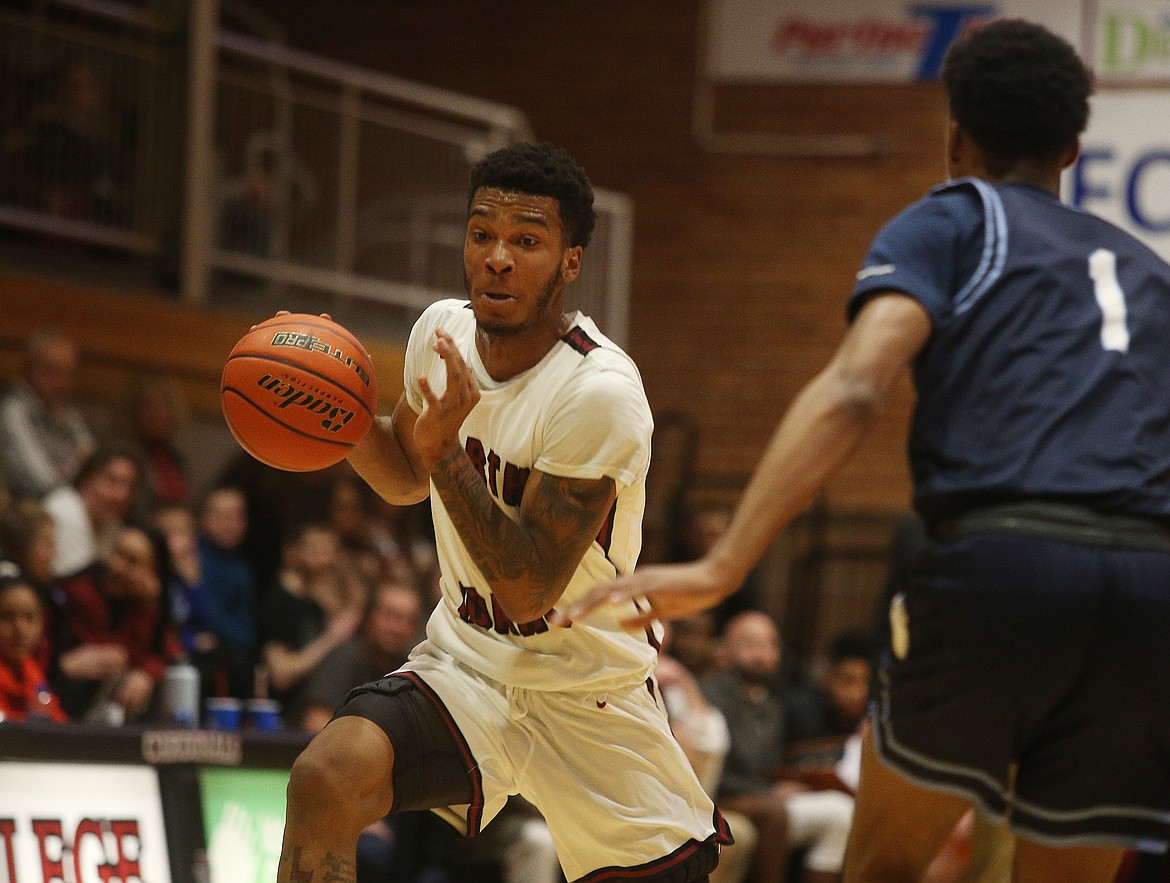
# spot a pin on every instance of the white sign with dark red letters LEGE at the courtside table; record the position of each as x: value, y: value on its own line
x: 81, y: 824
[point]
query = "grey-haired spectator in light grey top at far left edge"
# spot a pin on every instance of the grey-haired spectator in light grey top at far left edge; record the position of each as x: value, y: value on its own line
x: 44, y: 437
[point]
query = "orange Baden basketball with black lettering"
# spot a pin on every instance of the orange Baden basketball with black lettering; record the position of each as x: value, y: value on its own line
x: 299, y: 392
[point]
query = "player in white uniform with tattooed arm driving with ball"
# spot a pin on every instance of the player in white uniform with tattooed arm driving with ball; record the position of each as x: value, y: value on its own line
x: 531, y: 431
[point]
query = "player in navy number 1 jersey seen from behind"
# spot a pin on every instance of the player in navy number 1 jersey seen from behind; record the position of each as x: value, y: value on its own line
x: 1030, y: 665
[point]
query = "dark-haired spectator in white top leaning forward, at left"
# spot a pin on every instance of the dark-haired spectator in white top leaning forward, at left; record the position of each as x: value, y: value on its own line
x: 91, y: 513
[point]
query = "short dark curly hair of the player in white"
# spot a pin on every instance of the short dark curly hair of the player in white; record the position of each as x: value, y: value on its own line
x: 542, y: 170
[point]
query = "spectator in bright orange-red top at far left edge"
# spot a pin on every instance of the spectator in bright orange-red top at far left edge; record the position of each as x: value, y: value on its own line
x: 25, y: 693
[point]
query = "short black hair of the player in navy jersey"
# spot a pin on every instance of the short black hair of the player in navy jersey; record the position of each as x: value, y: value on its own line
x: 1020, y: 91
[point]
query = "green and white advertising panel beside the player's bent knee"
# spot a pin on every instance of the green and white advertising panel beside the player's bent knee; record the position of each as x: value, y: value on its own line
x: 244, y: 817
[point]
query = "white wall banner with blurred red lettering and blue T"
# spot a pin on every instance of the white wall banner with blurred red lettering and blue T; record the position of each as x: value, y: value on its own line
x: 869, y: 42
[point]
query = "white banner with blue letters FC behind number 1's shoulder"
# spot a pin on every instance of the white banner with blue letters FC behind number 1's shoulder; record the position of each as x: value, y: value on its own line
x: 1124, y: 171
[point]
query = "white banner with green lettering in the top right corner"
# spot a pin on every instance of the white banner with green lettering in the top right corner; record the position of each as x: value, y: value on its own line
x: 1131, y: 40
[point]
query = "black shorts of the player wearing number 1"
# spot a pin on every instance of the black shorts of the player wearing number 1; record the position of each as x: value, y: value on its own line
x: 1037, y: 682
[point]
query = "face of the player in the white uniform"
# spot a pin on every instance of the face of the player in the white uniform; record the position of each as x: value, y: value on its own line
x: 515, y: 261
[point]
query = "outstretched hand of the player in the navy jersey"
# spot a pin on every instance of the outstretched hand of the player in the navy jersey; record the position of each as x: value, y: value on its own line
x: 676, y: 591
